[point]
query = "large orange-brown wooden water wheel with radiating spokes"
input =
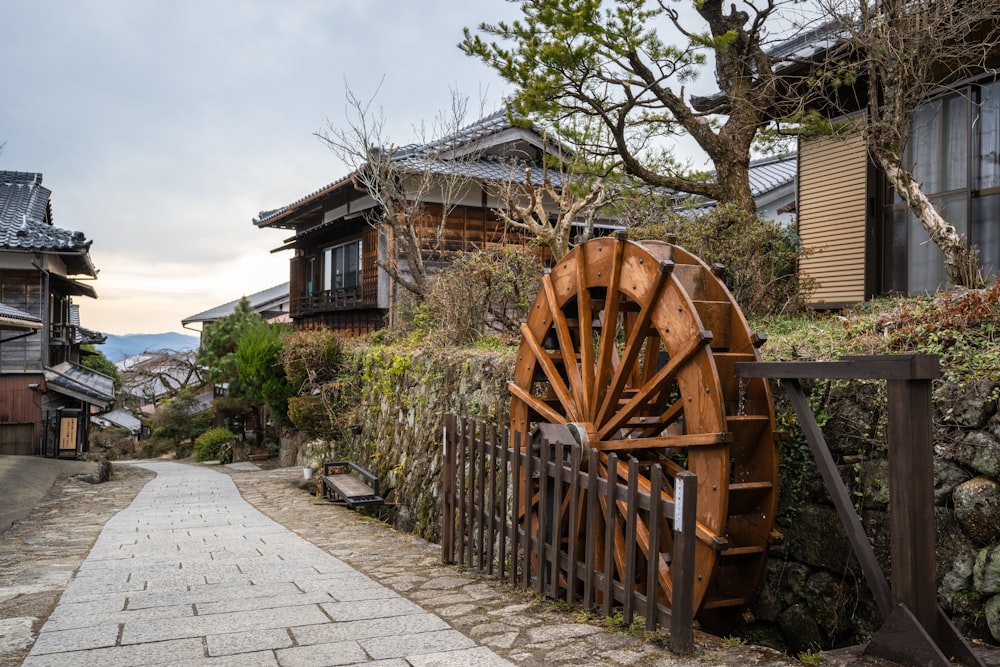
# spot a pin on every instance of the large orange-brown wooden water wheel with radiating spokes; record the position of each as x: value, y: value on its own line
x: 635, y: 344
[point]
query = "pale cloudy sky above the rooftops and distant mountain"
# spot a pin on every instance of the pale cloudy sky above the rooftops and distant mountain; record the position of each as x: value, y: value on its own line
x: 163, y: 127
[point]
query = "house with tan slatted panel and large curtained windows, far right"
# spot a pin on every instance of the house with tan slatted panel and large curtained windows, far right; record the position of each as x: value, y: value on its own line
x: 862, y: 239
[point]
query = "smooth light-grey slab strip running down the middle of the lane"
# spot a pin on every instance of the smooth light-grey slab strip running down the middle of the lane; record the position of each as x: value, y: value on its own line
x: 192, y: 574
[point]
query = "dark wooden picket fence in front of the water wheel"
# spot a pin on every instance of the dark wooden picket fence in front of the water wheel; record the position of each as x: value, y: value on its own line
x: 484, y: 529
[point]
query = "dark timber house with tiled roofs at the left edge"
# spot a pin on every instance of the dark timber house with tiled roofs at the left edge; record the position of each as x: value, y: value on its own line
x: 46, y: 396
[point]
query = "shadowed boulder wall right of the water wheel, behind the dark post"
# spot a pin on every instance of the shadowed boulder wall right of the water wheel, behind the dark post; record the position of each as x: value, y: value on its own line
x: 814, y: 594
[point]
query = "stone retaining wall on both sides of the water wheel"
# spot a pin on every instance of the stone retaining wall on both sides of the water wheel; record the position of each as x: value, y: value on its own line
x: 813, y: 594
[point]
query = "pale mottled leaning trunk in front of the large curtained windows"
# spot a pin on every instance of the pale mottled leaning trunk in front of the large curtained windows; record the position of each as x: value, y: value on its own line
x: 961, y: 257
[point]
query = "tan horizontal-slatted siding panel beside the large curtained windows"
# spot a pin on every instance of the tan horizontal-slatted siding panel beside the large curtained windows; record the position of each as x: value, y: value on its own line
x: 832, y: 218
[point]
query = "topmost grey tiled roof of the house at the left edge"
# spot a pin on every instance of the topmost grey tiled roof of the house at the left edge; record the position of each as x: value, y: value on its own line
x: 25, y: 217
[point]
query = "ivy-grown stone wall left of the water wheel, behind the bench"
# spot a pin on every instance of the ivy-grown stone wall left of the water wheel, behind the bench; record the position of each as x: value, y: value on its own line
x: 401, y: 399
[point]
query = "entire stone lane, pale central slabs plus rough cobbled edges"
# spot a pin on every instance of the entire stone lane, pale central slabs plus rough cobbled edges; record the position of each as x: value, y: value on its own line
x: 198, y: 577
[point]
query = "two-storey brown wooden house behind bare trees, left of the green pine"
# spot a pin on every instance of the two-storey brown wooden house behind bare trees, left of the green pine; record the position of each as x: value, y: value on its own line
x: 337, y: 279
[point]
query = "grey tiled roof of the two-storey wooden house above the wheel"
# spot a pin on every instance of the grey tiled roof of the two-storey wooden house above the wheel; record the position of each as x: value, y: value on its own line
x: 424, y: 157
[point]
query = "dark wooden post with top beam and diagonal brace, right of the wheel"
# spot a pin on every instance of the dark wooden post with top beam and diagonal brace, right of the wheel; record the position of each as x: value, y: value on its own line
x: 915, y: 631
